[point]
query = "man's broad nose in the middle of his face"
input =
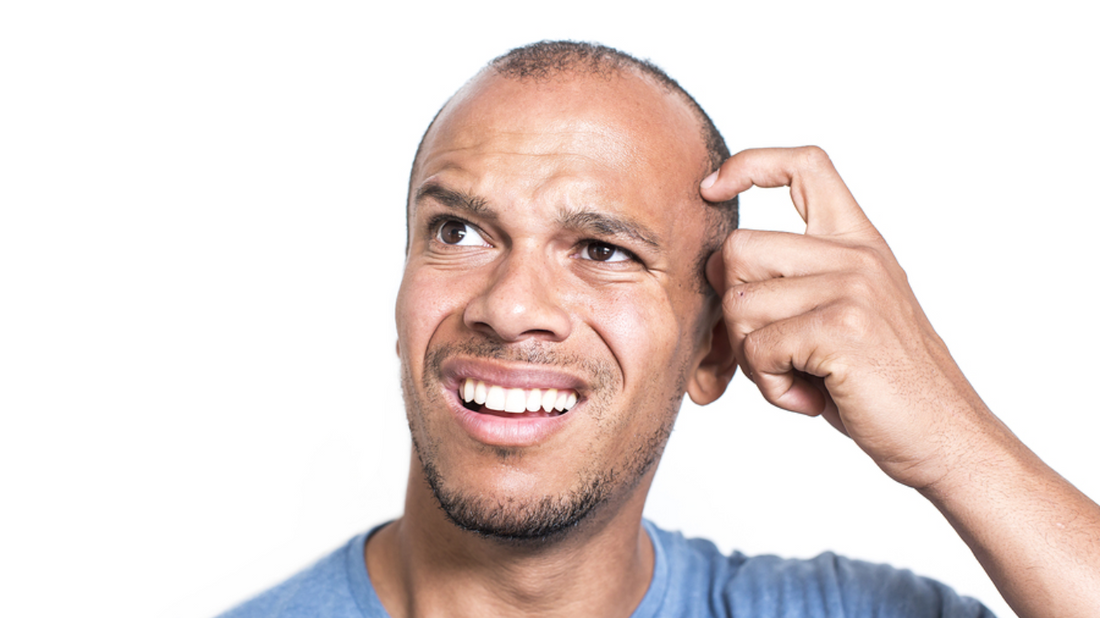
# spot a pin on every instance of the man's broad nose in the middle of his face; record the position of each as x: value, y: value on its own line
x: 520, y: 302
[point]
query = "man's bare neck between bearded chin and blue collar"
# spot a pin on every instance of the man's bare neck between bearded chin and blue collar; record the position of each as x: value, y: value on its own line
x: 424, y: 566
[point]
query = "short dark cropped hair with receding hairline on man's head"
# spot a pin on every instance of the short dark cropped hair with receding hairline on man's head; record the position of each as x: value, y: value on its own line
x: 546, y: 60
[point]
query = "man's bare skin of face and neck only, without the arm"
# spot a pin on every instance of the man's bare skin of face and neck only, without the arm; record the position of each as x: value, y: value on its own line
x: 633, y: 334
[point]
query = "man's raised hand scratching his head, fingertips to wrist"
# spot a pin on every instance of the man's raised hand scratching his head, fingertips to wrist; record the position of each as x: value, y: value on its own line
x: 826, y: 323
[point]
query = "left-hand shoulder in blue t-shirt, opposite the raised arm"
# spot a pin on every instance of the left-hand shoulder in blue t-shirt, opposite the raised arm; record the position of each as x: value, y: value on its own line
x: 325, y: 589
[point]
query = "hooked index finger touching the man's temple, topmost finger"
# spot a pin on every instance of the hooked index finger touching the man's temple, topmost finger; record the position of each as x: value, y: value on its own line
x: 819, y: 194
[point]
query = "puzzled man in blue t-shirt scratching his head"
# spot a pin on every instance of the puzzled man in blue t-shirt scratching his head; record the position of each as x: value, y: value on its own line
x: 573, y: 272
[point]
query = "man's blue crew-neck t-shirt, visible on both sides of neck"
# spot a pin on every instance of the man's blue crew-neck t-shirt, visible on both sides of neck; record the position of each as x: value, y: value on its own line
x: 691, y: 579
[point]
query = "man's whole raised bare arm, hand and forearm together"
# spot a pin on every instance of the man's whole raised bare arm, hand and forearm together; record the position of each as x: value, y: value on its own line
x: 826, y: 324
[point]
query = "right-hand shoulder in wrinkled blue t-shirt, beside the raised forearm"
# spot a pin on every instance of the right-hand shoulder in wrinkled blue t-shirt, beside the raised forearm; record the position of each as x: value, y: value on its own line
x: 701, y: 578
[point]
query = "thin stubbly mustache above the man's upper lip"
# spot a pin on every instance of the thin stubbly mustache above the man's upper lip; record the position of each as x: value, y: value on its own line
x: 599, y: 374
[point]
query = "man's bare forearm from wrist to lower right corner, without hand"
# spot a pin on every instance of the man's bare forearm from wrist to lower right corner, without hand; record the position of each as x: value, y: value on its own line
x: 1036, y: 535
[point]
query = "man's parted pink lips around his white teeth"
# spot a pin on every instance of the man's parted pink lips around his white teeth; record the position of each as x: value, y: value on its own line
x: 509, y: 431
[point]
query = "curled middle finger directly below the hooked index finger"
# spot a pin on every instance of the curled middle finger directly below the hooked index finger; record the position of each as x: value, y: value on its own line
x: 754, y: 256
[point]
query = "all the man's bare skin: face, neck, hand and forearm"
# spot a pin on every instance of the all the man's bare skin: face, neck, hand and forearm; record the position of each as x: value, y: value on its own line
x: 823, y: 324
